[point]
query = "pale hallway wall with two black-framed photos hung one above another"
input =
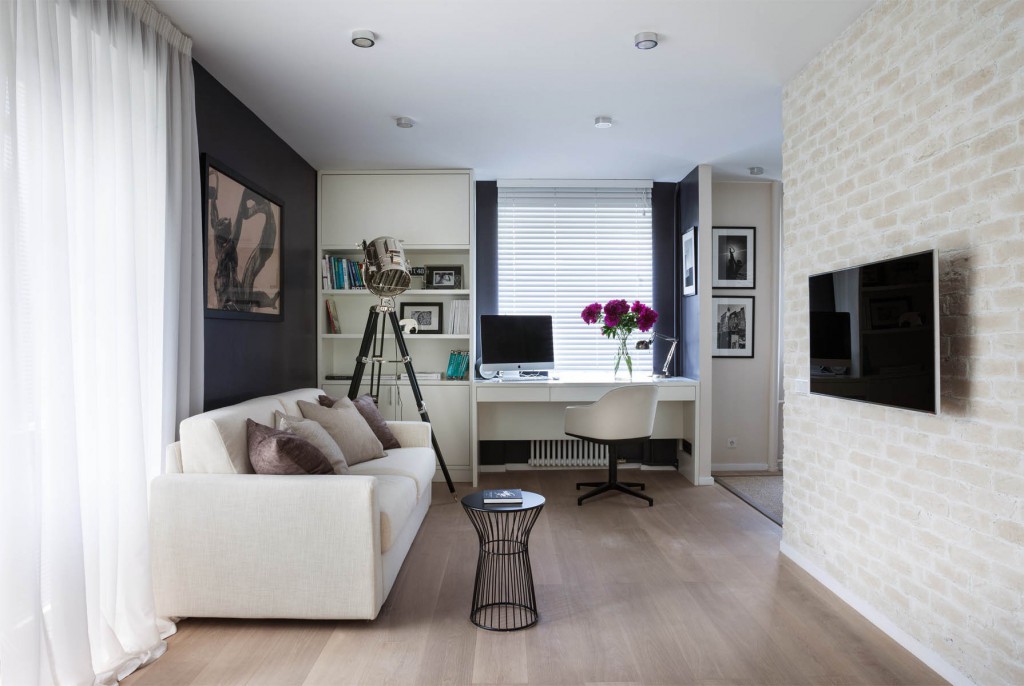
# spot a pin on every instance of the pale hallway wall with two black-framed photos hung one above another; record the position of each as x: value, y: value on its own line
x: 743, y: 388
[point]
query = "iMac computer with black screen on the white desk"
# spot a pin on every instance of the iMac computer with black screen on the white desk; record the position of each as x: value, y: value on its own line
x: 513, y: 345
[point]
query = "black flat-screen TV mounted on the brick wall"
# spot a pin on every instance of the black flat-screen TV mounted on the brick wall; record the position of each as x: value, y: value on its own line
x: 875, y: 333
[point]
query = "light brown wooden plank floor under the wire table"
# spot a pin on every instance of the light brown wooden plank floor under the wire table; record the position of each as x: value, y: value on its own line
x: 692, y: 591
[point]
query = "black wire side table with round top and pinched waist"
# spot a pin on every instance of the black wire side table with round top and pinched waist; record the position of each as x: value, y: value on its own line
x: 503, y: 593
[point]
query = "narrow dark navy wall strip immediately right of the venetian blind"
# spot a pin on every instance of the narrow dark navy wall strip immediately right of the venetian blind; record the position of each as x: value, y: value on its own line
x: 666, y: 283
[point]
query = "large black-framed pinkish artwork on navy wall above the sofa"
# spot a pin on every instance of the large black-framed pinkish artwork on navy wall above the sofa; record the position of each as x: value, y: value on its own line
x: 242, y: 247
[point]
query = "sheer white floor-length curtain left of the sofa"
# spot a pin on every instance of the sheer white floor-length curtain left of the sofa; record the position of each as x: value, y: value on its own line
x: 101, y: 328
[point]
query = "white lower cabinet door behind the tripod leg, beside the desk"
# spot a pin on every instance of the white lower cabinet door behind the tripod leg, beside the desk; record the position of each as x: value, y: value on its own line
x: 449, y: 411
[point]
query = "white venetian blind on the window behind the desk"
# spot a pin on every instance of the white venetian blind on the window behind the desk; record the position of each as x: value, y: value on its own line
x: 562, y: 248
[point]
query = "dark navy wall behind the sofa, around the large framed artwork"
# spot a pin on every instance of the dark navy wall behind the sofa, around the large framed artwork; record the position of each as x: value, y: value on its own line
x: 245, y: 359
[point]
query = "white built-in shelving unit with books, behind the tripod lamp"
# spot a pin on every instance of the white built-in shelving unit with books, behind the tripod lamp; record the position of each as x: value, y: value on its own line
x: 433, y: 212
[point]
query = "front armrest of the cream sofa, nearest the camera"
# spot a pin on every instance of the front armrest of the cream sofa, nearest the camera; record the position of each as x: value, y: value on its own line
x: 260, y: 546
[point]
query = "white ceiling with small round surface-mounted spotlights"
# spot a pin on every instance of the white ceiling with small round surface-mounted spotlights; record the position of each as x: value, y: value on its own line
x: 511, y: 89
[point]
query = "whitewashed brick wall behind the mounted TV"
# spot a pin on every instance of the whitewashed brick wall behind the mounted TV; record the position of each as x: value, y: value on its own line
x: 908, y: 135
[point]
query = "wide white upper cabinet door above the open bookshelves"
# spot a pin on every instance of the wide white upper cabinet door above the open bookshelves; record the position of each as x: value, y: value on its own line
x: 420, y: 209
